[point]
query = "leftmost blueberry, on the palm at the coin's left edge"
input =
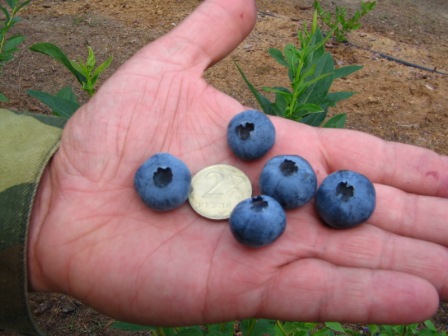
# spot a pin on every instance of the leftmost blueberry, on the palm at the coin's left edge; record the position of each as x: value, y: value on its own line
x: 163, y: 182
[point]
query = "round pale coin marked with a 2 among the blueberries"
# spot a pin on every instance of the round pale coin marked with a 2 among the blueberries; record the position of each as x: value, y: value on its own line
x: 216, y: 190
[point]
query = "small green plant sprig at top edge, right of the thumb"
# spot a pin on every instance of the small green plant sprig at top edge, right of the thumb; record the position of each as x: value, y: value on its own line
x: 339, y: 22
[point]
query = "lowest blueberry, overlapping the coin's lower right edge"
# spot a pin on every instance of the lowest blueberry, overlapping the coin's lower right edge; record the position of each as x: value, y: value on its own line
x: 257, y: 221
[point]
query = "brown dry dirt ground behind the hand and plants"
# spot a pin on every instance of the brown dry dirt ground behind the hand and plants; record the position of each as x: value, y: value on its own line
x: 394, y: 102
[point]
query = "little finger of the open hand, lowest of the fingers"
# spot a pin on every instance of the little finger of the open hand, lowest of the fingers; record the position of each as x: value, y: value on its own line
x: 351, y: 295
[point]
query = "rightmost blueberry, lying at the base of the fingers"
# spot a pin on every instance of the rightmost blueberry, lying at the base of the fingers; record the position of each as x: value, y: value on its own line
x: 345, y: 199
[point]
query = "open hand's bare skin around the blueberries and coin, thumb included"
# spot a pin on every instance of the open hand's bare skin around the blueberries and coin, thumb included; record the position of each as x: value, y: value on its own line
x: 92, y: 238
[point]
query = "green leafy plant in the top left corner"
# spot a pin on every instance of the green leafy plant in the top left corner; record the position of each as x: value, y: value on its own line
x: 9, y: 43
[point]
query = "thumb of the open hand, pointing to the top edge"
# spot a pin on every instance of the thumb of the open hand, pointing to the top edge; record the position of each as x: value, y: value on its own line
x: 206, y: 36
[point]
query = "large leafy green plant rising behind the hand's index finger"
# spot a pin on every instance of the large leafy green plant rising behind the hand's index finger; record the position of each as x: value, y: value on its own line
x: 311, y: 73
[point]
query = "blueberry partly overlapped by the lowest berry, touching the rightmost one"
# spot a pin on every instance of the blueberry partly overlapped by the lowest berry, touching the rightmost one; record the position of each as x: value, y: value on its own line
x: 289, y: 179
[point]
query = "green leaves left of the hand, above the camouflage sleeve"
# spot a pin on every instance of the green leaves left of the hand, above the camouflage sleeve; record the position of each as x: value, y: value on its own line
x: 65, y: 102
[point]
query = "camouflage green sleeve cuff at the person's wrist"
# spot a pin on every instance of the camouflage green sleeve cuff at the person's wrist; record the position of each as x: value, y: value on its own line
x: 27, y: 143
